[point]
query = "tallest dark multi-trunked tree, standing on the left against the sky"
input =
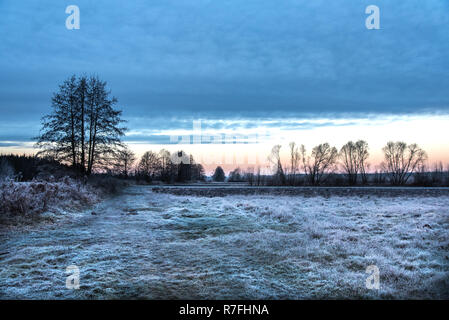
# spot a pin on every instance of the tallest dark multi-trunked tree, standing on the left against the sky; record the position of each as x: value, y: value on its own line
x: 84, y: 128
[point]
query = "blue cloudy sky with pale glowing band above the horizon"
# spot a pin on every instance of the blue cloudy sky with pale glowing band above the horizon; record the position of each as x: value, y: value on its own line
x: 261, y: 72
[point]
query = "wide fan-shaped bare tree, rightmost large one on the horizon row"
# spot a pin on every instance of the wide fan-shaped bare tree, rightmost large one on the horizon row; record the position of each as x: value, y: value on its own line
x: 402, y: 160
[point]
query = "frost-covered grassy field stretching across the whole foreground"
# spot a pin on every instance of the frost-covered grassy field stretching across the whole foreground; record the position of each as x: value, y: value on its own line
x: 144, y: 244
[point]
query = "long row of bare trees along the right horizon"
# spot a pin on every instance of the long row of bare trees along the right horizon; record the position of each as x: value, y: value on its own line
x: 326, y: 165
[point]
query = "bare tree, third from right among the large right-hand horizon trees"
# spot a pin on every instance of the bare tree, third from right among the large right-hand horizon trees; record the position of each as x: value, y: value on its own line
x: 320, y: 164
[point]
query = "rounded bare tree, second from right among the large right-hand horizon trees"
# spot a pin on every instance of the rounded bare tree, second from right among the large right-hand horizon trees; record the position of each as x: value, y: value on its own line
x: 354, y: 156
